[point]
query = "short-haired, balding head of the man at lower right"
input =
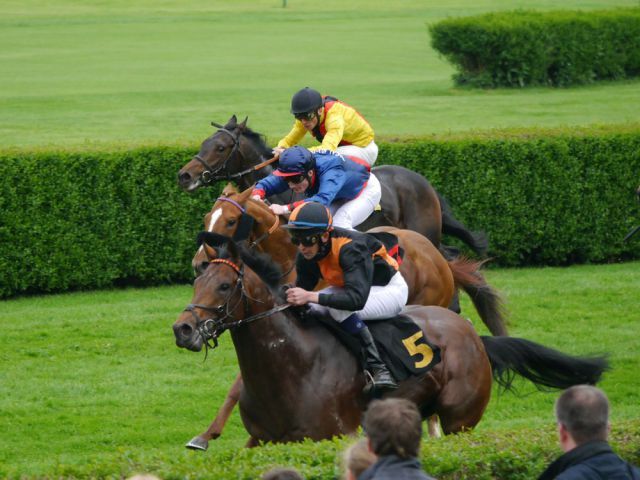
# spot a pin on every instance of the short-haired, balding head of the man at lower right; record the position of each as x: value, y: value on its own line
x: 582, y: 413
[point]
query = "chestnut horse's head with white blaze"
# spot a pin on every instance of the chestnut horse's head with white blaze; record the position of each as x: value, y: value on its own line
x: 236, y: 216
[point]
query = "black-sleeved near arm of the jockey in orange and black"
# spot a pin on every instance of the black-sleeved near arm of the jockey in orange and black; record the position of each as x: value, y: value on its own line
x: 357, y: 269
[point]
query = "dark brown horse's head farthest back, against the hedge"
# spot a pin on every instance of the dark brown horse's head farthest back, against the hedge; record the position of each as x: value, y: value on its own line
x: 216, y: 153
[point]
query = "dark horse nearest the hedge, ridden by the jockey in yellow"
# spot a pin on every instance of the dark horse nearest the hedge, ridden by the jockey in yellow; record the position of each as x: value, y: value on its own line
x: 235, y: 152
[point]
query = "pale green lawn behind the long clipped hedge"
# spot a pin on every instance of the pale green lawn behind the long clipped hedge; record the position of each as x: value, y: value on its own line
x: 85, y: 73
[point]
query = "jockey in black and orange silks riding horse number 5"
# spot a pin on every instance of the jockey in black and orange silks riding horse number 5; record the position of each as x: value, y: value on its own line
x: 364, y: 280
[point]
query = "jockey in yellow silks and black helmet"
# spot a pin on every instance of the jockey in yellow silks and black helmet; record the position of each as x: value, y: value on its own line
x: 337, y: 126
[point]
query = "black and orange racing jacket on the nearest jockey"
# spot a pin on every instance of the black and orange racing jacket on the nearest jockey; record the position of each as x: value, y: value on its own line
x: 352, y: 260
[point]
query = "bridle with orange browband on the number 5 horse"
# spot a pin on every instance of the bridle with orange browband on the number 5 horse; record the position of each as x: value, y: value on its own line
x: 211, y: 328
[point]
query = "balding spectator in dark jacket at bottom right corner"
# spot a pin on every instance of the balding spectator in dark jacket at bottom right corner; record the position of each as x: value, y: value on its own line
x: 582, y: 414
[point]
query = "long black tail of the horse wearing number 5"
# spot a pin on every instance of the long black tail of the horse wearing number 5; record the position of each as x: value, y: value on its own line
x: 545, y: 367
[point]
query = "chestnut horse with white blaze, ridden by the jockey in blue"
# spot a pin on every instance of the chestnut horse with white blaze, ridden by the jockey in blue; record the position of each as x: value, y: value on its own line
x: 431, y: 278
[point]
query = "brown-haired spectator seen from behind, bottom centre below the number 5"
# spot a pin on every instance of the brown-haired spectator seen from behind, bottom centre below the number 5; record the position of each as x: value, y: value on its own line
x: 394, y: 428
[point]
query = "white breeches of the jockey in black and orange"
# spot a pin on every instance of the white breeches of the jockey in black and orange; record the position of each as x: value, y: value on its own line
x: 383, y: 301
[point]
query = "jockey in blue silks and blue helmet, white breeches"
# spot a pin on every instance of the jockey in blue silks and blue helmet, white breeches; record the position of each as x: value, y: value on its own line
x: 344, y: 184
